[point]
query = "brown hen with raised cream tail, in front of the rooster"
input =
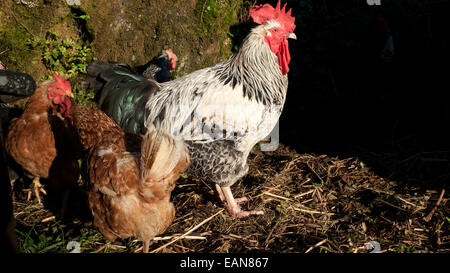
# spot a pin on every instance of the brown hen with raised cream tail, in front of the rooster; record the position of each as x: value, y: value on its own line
x: 130, y: 176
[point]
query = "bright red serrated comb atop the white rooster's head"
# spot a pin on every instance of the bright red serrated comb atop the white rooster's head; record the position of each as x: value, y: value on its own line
x: 262, y: 13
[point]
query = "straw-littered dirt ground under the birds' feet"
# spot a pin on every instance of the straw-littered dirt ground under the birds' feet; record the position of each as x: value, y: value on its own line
x: 312, y: 203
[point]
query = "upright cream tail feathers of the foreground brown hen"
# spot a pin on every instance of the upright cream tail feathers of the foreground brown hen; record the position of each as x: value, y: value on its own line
x: 162, y: 156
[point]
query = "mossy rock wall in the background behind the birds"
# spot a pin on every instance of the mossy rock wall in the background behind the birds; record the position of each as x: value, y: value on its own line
x: 131, y: 31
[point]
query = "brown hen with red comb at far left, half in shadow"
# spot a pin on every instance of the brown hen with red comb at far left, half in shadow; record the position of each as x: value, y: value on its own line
x: 42, y: 140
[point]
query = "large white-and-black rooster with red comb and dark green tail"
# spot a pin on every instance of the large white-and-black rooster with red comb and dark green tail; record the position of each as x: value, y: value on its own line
x: 220, y: 111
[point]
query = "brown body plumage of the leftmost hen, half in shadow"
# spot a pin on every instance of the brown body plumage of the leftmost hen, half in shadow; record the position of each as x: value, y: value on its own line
x: 39, y: 140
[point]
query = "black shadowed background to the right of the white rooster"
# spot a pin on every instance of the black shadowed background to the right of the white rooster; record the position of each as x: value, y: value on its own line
x: 344, y: 100
